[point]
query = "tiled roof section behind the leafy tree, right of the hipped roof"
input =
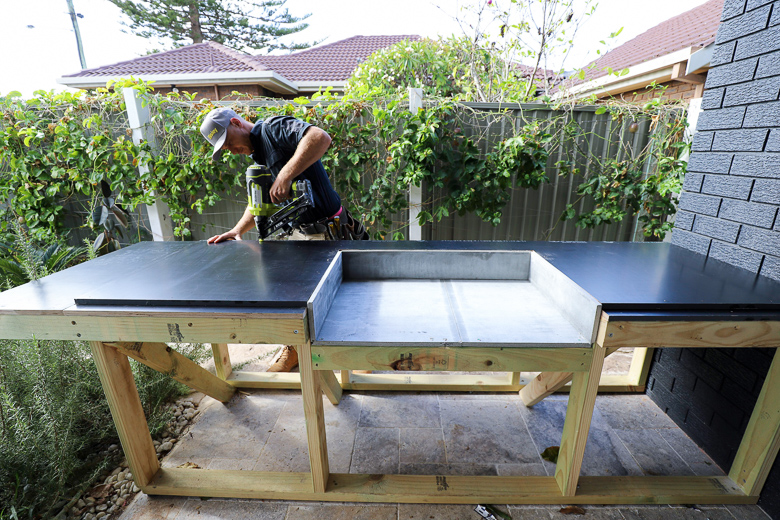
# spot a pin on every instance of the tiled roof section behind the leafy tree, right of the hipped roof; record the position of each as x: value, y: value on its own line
x: 333, y: 62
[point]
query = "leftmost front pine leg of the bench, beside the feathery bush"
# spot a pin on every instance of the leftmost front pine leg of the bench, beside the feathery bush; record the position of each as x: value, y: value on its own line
x: 122, y: 395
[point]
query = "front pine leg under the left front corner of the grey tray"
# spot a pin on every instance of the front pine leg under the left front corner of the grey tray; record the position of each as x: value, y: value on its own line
x: 315, y: 420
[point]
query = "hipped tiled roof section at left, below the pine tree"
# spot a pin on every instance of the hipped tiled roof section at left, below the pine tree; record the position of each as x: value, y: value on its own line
x: 192, y: 59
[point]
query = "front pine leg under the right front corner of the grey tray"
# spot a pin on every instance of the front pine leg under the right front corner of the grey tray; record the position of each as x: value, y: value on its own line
x: 579, y: 413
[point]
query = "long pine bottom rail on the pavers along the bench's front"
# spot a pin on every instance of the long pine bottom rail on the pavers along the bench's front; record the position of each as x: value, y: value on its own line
x: 440, y: 489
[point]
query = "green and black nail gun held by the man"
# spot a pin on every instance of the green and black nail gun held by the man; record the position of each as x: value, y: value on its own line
x: 270, y: 217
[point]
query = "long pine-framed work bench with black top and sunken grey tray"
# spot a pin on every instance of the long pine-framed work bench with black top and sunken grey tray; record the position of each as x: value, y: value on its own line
x: 408, y: 310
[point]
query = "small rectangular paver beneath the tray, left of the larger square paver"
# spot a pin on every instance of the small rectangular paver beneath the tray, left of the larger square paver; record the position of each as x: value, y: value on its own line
x: 397, y: 410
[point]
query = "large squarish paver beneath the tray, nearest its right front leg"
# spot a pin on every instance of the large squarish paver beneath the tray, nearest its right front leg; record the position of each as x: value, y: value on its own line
x: 486, y: 432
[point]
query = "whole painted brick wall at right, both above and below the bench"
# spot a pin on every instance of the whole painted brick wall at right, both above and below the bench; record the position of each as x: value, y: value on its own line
x: 729, y: 213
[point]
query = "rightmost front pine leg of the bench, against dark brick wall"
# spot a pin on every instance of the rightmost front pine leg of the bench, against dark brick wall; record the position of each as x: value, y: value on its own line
x: 759, y: 445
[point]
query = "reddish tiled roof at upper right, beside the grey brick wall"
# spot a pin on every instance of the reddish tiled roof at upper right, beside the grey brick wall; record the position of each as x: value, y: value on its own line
x: 694, y: 28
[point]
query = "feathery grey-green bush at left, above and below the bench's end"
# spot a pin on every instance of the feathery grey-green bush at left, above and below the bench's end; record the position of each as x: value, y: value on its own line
x: 54, y: 419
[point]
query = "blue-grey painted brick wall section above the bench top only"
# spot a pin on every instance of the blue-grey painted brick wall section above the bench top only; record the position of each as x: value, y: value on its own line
x: 731, y: 194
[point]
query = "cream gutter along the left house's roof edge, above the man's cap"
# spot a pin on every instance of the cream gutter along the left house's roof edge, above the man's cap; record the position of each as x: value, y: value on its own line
x: 266, y: 78
